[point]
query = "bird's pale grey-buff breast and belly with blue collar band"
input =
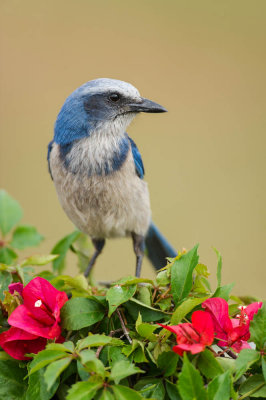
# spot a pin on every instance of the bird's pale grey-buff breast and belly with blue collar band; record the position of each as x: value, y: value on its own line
x: 98, y: 187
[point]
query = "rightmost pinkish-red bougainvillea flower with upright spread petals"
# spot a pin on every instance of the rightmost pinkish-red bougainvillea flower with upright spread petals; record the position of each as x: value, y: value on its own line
x: 231, y: 332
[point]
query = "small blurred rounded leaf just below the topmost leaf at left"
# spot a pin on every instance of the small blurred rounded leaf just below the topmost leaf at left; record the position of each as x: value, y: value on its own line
x: 25, y: 236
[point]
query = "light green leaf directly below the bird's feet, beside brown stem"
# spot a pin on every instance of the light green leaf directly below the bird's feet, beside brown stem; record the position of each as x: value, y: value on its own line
x: 117, y: 295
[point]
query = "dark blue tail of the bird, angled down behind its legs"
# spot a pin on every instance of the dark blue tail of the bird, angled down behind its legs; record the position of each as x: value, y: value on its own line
x: 158, y: 247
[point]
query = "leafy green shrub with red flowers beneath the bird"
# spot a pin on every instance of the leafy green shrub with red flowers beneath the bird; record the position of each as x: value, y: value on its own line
x: 115, y: 345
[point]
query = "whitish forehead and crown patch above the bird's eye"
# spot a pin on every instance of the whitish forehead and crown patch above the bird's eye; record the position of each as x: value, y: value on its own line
x: 103, y: 85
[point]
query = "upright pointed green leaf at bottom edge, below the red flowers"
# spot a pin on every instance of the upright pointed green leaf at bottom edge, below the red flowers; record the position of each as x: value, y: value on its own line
x: 190, y: 383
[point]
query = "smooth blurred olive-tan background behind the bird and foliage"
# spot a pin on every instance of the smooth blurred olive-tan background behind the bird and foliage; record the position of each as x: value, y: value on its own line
x: 205, y: 61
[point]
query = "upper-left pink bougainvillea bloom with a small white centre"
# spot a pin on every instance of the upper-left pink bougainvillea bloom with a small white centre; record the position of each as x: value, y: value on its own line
x: 40, y: 313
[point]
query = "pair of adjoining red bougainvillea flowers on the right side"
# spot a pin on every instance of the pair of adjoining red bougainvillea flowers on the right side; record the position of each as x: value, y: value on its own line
x: 214, y: 323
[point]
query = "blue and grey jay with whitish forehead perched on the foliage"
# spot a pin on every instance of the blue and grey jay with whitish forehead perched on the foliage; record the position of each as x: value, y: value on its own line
x: 98, y: 171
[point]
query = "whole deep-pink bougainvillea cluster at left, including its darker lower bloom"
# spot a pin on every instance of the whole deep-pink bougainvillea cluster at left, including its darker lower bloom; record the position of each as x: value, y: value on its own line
x: 34, y: 321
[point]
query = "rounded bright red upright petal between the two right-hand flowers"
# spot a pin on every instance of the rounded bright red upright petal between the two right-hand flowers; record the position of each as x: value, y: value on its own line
x: 202, y: 323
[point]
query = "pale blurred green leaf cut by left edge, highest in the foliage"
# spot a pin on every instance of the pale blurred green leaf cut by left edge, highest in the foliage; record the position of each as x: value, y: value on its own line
x: 10, y: 212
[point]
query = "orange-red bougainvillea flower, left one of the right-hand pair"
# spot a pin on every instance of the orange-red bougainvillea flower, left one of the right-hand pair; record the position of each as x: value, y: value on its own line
x: 193, y: 336
